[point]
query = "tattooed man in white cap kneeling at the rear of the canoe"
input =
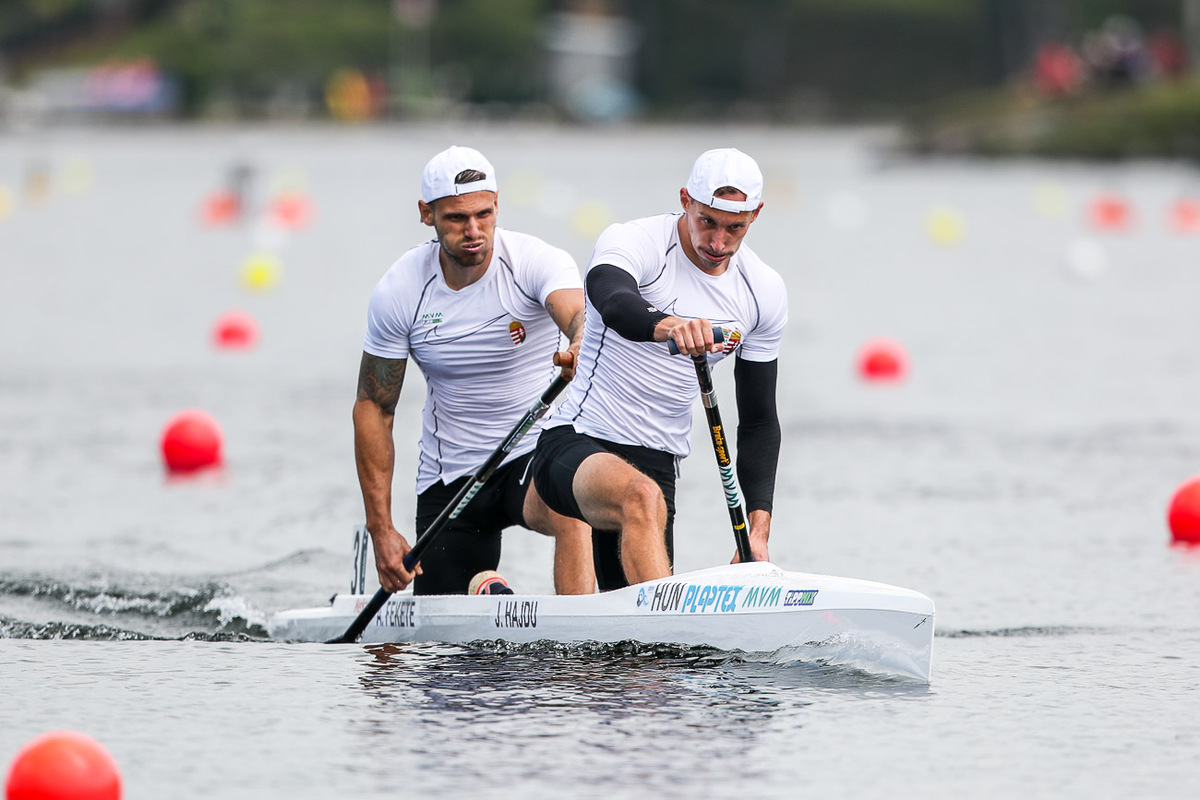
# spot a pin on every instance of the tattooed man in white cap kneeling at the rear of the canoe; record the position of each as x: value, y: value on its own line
x: 481, y: 310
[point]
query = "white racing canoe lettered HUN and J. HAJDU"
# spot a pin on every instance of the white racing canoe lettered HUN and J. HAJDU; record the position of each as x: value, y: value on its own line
x: 755, y: 609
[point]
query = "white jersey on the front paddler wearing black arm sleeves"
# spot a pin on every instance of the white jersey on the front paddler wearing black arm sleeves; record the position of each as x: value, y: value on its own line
x: 638, y: 393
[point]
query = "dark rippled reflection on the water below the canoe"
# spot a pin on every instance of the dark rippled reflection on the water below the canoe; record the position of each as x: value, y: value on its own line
x: 610, y: 714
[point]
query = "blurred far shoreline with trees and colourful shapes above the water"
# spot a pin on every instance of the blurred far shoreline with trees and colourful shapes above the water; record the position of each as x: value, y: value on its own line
x: 1076, y: 79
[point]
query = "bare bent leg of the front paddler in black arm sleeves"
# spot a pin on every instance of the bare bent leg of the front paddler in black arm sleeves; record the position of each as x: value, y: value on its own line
x: 615, y: 496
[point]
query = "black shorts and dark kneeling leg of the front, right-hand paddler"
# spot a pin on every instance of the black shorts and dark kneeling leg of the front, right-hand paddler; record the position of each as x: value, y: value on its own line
x: 561, y: 452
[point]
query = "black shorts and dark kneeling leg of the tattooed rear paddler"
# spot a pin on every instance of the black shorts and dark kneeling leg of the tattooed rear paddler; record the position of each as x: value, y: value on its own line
x: 471, y: 543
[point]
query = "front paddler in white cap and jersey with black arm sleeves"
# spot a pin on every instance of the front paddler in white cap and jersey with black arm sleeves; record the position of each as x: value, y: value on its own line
x: 609, y: 455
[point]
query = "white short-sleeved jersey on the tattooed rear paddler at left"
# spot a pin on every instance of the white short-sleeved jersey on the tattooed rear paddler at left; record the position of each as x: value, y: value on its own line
x: 487, y: 351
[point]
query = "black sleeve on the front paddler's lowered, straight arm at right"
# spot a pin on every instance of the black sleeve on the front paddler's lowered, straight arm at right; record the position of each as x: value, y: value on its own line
x: 759, y: 431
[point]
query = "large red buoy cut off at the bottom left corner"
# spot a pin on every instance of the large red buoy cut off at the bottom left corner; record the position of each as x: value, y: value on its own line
x: 64, y: 766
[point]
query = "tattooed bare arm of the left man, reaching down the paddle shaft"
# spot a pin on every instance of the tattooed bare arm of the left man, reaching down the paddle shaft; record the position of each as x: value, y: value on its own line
x: 375, y: 455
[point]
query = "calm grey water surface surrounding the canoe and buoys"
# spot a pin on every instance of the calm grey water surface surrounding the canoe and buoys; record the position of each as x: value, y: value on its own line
x: 1019, y: 478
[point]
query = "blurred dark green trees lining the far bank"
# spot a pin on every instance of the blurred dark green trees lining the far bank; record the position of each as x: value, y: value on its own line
x: 764, y: 59
